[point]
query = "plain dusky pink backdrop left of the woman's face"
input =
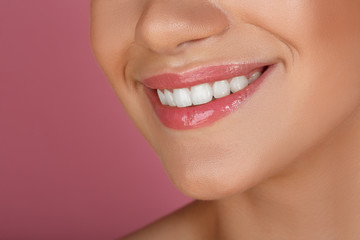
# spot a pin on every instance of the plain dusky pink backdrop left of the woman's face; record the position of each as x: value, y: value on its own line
x: 72, y: 165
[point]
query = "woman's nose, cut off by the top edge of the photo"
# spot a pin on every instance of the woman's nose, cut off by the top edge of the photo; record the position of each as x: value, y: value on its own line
x: 165, y: 26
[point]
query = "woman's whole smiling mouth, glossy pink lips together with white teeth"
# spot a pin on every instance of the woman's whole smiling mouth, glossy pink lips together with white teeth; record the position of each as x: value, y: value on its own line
x: 202, y: 96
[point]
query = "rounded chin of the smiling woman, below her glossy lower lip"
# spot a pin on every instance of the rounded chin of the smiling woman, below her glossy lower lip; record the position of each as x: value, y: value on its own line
x: 204, y: 174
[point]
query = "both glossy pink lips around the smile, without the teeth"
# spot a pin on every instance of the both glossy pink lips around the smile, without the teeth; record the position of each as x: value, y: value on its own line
x: 201, y: 115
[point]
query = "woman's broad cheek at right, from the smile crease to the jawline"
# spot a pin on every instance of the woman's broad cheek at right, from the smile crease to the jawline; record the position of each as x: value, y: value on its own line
x: 324, y: 36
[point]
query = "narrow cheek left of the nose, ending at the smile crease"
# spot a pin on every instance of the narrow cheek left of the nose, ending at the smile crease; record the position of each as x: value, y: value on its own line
x: 111, y: 34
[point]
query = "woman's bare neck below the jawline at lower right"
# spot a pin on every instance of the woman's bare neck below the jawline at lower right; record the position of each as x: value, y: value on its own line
x: 318, y: 197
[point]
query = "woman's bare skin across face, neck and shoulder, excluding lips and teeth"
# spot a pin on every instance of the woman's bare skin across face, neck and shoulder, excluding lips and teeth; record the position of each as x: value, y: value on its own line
x: 285, y: 165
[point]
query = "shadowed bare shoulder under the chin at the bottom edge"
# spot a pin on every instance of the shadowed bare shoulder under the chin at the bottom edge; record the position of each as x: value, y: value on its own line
x: 189, y: 222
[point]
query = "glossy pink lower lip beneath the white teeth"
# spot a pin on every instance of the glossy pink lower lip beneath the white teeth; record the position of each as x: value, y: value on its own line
x: 206, y: 114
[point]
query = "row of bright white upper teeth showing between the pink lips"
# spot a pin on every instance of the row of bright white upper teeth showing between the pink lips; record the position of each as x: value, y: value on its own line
x: 204, y: 93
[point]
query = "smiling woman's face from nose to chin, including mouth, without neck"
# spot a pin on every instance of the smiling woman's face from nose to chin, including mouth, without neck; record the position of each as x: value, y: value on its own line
x: 307, y: 53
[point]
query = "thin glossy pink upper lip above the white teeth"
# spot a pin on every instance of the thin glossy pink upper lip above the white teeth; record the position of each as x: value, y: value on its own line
x: 201, y: 75
